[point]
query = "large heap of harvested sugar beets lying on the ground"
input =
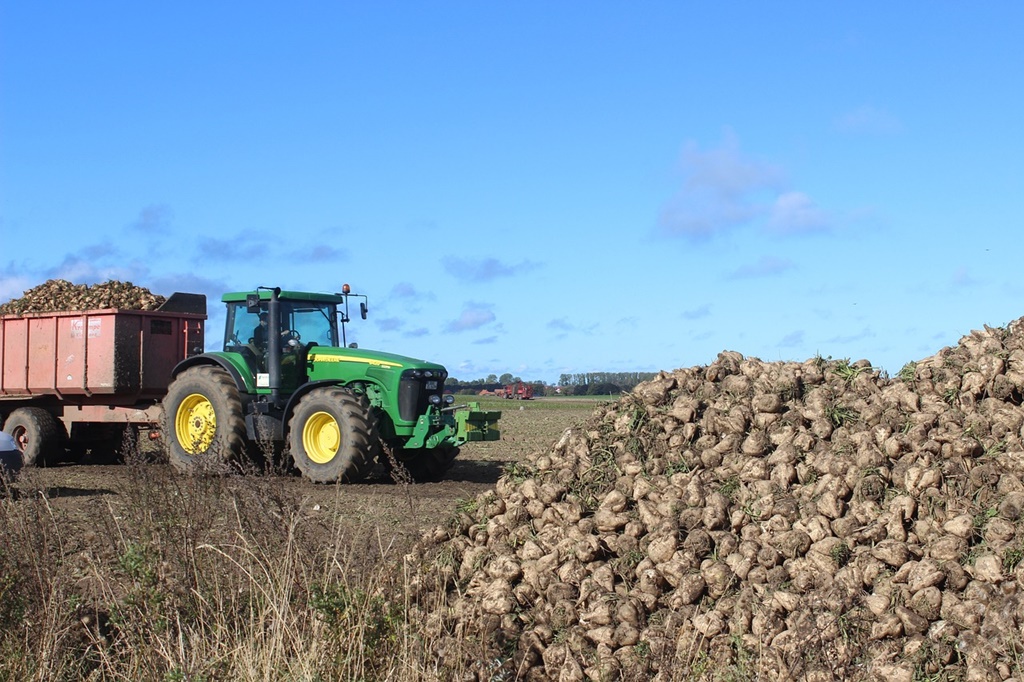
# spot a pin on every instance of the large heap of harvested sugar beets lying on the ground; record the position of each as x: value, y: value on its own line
x: 754, y: 521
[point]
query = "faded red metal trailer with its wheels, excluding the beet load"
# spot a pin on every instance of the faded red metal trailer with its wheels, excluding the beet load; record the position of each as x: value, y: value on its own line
x: 91, y: 375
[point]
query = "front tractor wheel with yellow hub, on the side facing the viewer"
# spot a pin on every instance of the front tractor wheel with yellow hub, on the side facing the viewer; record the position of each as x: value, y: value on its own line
x: 333, y: 437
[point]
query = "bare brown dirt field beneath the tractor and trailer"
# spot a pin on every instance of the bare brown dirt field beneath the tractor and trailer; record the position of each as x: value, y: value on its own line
x: 378, y: 519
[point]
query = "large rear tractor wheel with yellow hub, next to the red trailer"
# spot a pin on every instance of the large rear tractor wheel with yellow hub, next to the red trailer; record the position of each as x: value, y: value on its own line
x: 204, y: 427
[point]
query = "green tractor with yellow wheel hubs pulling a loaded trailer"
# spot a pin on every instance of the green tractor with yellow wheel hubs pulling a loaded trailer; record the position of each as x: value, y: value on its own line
x: 286, y: 381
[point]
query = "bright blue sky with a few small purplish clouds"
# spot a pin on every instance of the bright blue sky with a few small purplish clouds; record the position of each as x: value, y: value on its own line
x: 534, y: 188
